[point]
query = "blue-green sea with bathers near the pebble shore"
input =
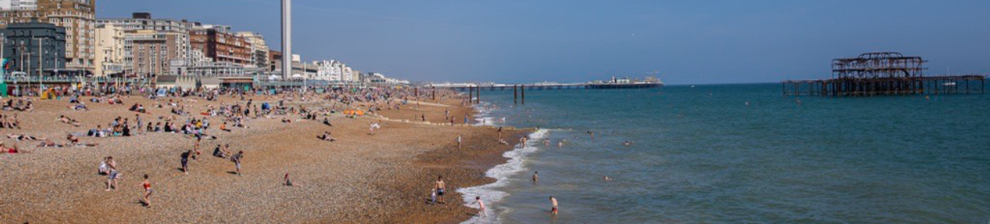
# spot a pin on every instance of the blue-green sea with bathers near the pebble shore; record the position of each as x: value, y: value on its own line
x: 739, y: 154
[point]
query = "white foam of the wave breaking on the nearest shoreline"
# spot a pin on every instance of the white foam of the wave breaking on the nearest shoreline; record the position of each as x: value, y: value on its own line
x: 501, y: 174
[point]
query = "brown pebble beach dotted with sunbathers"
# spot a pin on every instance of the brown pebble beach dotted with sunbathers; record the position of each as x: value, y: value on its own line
x: 359, y: 178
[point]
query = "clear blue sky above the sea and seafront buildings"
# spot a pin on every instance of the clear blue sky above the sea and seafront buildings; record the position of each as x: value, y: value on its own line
x: 521, y: 41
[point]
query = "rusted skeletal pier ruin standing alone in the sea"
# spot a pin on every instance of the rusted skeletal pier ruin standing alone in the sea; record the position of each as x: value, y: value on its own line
x: 883, y: 74
